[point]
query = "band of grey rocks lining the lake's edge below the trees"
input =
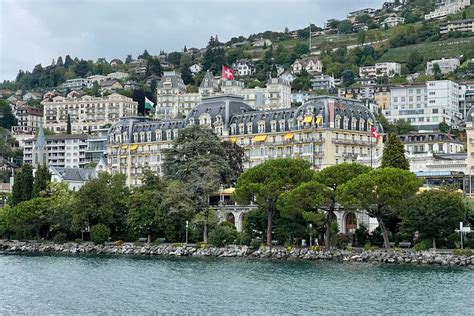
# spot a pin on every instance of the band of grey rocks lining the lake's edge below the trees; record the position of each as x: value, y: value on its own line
x: 394, y: 256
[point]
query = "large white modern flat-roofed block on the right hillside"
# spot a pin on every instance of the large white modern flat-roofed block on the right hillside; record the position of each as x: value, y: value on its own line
x: 425, y: 106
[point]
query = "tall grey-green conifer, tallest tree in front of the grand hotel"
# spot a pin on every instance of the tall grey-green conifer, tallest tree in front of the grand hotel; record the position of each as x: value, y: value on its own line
x: 197, y: 160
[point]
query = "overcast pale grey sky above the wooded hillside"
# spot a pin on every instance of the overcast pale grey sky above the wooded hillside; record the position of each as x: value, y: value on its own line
x: 36, y: 31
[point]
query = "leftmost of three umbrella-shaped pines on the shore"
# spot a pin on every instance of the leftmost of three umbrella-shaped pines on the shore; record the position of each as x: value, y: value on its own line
x: 264, y: 184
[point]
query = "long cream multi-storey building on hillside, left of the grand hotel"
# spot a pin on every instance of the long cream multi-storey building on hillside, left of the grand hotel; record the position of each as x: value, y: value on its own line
x: 86, y: 113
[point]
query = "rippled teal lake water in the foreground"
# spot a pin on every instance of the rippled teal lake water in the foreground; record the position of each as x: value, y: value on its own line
x: 93, y: 284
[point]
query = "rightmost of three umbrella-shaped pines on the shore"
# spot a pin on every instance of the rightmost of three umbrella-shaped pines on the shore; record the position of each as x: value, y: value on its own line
x: 379, y: 193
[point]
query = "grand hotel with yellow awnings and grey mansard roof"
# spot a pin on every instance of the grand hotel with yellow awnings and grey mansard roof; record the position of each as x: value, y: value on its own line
x: 325, y: 131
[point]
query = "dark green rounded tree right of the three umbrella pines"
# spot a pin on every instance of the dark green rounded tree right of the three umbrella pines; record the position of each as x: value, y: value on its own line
x: 434, y: 214
